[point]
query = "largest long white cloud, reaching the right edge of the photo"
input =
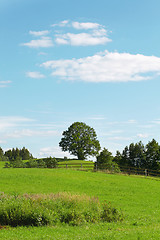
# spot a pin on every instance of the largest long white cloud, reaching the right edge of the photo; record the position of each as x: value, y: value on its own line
x: 106, y: 67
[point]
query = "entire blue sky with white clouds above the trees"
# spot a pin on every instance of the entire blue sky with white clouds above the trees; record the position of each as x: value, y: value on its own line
x: 92, y: 61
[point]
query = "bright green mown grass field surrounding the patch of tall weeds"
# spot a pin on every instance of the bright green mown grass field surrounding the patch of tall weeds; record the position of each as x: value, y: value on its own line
x: 137, y: 197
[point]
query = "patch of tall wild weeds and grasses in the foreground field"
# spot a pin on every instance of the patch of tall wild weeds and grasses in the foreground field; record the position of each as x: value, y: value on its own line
x: 39, y: 210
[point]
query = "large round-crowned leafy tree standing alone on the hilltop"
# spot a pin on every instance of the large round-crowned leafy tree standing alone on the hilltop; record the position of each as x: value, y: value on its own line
x: 80, y: 140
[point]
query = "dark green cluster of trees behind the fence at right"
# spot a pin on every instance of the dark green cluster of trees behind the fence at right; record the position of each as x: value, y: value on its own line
x: 136, y: 155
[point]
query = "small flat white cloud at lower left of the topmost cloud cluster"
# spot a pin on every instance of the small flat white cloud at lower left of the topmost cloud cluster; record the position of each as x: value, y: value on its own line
x: 42, y: 42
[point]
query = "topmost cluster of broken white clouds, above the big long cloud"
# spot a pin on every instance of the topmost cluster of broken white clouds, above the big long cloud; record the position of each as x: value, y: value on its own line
x: 79, y: 34
